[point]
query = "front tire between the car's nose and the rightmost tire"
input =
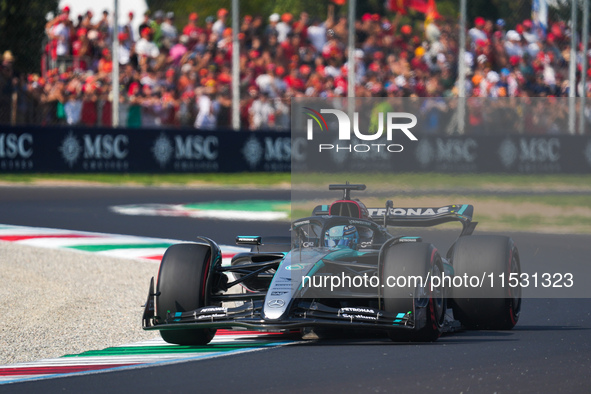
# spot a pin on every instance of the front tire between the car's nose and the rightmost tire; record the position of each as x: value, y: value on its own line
x: 414, y: 259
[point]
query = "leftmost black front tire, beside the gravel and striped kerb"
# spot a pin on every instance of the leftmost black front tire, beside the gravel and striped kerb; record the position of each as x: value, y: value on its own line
x: 181, y: 281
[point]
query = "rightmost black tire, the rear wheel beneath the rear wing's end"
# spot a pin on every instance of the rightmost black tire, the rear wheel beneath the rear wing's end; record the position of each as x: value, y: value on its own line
x: 489, y: 308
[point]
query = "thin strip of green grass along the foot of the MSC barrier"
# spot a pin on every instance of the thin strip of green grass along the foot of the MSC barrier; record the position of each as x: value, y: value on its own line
x: 404, y: 181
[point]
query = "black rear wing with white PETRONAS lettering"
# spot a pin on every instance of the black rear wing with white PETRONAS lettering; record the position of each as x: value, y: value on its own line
x: 425, y: 217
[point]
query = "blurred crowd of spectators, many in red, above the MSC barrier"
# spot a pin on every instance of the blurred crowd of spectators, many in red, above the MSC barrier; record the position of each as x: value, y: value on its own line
x: 171, y: 77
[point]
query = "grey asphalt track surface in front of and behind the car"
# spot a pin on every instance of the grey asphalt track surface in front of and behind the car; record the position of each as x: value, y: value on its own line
x: 548, y: 351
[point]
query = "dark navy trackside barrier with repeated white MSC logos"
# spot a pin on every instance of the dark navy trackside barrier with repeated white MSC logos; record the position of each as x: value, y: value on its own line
x: 25, y: 149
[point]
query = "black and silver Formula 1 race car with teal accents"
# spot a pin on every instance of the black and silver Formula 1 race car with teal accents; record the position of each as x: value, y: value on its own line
x: 342, y: 268
